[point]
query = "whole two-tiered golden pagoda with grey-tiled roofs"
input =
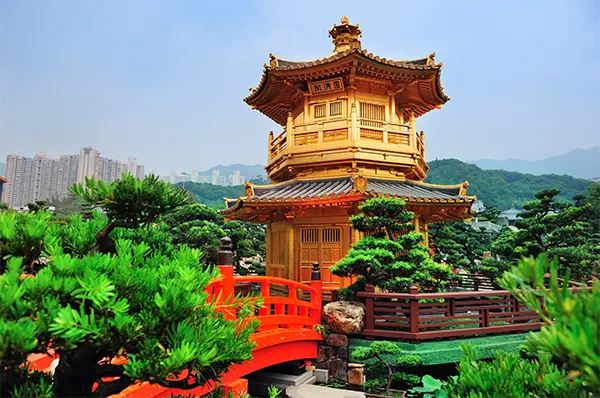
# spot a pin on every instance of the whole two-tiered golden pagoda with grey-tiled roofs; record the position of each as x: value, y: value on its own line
x: 349, y: 134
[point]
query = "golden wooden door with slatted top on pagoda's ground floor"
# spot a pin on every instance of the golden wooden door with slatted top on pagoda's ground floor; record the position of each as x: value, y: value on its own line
x: 324, y: 245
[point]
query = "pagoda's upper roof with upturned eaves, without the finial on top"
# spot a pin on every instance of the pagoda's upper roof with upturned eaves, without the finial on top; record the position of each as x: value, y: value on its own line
x: 281, y: 77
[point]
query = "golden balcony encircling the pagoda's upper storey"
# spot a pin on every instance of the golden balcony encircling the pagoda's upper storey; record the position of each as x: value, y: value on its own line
x: 340, y: 140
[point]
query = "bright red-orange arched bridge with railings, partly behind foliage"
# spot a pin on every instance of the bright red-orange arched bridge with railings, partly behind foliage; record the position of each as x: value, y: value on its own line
x: 287, y: 318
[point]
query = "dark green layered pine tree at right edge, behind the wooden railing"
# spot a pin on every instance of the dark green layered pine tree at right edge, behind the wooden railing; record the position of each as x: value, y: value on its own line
x: 560, y: 229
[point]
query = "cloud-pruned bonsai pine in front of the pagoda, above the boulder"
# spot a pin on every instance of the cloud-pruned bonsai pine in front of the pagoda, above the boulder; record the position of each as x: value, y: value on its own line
x: 392, y: 255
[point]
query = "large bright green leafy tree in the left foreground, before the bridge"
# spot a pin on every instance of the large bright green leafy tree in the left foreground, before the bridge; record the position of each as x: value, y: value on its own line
x: 146, y: 301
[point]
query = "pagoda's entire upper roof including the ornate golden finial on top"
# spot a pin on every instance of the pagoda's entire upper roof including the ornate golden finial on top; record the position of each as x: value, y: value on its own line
x: 416, y: 83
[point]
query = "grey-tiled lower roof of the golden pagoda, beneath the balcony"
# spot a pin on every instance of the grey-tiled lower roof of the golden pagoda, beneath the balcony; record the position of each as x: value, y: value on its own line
x: 298, y: 191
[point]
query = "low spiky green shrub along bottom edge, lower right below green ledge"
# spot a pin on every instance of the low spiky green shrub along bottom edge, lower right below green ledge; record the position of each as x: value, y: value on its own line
x: 508, y: 376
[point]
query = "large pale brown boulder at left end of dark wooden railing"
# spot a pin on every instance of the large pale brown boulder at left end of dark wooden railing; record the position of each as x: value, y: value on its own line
x: 345, y: 317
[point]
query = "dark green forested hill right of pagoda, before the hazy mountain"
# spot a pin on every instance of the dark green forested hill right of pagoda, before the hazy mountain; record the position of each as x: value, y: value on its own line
x: 501, y: 188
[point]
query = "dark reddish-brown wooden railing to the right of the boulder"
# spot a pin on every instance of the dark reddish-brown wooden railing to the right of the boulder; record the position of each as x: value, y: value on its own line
x: 418, y: 316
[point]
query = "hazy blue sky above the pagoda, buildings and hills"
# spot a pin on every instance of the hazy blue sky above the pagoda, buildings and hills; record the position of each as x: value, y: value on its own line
x: 164, y: 81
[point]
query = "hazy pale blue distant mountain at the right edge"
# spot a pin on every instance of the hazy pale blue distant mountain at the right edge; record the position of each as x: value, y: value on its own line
x: 581, y: 163
